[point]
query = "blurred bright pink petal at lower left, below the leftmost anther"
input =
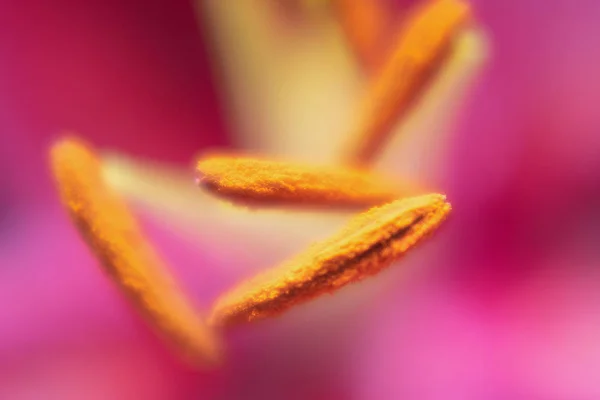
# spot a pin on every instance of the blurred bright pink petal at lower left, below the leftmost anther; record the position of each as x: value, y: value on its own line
x: 67, y: 332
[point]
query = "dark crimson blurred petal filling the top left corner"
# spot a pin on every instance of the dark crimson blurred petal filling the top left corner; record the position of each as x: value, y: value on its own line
x: 133, y: 76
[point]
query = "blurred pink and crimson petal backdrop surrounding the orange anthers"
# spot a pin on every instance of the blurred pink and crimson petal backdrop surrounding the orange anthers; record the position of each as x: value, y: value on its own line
x: 509, y: 308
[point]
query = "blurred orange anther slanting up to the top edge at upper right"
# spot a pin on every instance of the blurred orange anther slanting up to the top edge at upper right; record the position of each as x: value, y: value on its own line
x: 420, y: 51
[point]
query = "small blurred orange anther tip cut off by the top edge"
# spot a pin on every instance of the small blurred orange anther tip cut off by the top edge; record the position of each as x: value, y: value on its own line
x: 365, y: 24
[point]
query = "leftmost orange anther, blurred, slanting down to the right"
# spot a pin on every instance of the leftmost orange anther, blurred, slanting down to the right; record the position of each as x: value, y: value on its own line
x: 114, y: 236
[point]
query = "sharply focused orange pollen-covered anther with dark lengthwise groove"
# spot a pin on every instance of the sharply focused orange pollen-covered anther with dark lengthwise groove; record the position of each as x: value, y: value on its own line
x: 369, y: 243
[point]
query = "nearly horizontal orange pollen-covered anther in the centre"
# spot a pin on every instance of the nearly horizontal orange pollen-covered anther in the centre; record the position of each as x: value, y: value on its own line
x: 255, y: 181
